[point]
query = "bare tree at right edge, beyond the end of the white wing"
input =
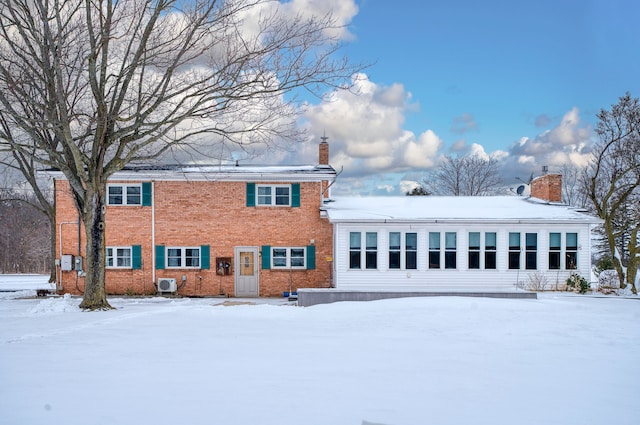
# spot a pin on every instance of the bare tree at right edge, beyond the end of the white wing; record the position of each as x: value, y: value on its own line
x: 613, y: 184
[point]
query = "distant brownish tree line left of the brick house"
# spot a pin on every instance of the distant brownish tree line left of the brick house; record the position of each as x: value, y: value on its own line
x: 25, y: 235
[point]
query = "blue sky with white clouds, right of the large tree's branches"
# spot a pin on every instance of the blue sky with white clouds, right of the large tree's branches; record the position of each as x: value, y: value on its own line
x: 517, y: 81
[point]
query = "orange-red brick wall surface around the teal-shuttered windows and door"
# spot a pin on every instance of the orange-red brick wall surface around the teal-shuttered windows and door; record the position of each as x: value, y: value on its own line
x: 203, y: 213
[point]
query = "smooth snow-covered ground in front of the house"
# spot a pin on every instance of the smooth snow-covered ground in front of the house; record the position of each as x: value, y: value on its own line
x: 561, y: 359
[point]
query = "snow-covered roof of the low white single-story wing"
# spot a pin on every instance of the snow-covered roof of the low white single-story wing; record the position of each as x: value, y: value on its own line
x: 451, y: 209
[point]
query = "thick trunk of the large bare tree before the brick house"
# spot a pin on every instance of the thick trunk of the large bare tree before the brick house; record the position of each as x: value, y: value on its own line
x: 95, y: 297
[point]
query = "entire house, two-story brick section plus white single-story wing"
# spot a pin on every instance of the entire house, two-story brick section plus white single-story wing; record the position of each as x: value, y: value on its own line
x: 249, y: 231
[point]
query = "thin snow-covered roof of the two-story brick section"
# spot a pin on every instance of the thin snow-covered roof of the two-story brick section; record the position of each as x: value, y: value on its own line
x: 266, y: 173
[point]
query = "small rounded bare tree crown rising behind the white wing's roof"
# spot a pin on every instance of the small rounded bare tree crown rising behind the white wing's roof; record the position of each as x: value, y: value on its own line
x: 469, y: 175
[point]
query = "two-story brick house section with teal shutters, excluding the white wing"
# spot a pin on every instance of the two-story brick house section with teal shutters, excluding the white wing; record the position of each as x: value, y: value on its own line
x: 221, y: 230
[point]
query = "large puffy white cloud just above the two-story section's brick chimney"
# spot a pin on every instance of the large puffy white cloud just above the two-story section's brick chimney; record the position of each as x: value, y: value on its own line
x: 365, y: 126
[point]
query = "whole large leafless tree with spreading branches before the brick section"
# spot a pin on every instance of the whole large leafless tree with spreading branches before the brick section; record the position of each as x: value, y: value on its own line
x: 95, y: 85
